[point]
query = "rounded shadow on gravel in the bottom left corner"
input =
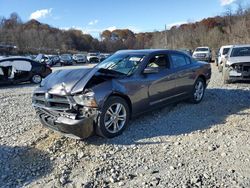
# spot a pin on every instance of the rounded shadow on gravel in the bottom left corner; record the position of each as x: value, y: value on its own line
x: 22, y: 165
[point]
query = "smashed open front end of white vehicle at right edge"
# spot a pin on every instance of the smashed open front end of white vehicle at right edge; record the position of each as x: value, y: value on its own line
x: 237, y: 71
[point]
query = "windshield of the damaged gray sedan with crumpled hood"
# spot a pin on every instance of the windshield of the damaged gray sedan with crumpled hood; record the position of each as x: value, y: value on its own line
x: 122, y: 63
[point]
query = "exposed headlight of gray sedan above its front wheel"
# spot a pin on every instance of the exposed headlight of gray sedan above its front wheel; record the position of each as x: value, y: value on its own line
x: 86, y: 99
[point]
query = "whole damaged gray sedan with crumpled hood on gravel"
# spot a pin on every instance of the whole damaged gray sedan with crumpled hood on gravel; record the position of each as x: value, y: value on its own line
x: 101, y: 100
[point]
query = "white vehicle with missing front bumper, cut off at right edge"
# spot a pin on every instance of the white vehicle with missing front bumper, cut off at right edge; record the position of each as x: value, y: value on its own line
x: 236, y: 65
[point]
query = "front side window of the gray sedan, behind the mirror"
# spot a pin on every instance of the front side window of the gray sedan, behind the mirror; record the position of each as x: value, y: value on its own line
x: 159, y: 61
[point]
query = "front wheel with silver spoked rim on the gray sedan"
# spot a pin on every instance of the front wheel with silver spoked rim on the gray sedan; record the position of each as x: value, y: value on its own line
x: 108, y: 123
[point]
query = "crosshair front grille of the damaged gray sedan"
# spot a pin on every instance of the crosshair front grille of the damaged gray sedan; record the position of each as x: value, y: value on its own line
x: 53, y: 102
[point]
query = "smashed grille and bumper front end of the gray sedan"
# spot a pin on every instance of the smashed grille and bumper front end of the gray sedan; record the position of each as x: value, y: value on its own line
x: 62, y: 113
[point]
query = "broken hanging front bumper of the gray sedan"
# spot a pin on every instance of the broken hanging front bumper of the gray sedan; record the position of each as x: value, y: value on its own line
x: 76, y: 128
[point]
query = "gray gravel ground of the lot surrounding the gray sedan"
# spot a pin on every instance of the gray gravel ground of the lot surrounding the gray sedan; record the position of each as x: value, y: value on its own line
x: 182, y: 145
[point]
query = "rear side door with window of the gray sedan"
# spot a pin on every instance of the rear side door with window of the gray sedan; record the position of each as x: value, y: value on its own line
x: 184, y: 70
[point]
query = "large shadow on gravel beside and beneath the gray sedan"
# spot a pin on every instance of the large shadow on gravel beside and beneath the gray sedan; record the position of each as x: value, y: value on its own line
x: 183, y: 117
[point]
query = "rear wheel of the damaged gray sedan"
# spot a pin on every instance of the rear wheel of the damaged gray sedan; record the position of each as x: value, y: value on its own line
x: 198, y: 91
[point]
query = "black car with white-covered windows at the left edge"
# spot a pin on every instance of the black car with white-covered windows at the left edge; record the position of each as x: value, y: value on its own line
x: 18, y: 69
